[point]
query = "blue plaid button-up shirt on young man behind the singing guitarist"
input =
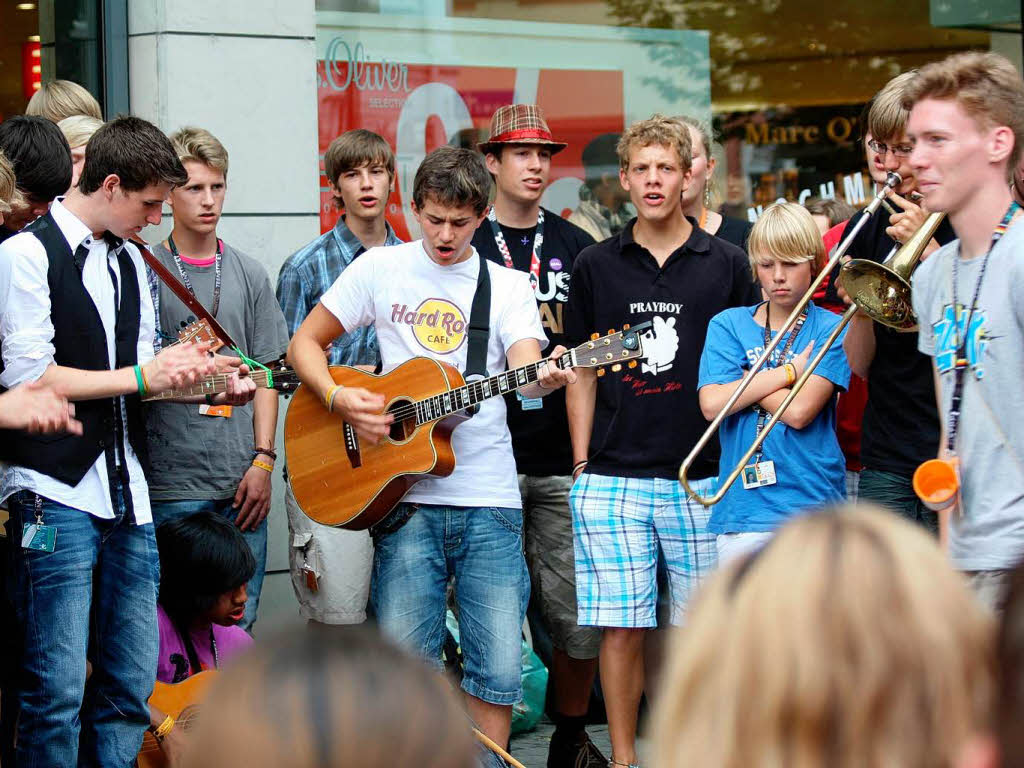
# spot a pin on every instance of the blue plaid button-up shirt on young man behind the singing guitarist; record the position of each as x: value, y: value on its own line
x: 310, y: 273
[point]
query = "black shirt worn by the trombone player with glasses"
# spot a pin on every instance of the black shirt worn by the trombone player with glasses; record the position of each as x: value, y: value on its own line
x: 901, y: 428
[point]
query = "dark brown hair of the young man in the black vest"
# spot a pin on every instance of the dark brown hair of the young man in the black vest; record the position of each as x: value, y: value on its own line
x: 134, y: 150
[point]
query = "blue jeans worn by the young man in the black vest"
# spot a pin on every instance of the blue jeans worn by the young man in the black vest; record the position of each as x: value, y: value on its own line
x: 96, y: 594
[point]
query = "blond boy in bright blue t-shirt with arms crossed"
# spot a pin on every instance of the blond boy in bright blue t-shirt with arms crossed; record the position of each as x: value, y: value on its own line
x: 800, y: 464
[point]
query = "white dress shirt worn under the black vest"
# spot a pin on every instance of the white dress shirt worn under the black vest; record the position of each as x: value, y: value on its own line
x: 27, y: 337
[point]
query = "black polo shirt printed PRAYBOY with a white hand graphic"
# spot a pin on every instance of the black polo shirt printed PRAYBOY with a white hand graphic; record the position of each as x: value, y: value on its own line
x: 648, y: 419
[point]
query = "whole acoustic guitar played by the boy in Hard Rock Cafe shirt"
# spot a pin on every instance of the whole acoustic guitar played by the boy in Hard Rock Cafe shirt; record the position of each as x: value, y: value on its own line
x: 340, y: 482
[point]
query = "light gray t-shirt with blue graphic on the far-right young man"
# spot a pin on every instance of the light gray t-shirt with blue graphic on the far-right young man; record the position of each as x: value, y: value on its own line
x: 991, y: 439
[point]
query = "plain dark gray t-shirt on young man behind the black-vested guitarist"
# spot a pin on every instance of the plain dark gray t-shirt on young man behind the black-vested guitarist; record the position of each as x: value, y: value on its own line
x: 203, y: 457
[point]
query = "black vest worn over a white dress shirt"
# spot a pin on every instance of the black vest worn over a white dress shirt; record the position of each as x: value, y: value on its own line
x: 81, y: 343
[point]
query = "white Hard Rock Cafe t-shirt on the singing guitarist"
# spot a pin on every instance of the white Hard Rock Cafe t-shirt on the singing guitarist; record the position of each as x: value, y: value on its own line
x: 421, y: 309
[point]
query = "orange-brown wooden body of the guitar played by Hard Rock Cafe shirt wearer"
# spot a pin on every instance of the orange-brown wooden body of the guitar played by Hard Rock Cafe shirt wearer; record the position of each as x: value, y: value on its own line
x: 328, y: 487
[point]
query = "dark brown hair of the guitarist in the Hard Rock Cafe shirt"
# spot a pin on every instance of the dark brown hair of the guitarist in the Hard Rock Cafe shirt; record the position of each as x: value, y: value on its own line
x: 453, y: 179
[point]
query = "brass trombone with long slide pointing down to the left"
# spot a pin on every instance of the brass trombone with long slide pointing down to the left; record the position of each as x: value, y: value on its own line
x: 882, y: 292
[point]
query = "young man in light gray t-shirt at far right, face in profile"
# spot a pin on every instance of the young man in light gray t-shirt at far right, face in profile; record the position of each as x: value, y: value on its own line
x: 967, y: 126
